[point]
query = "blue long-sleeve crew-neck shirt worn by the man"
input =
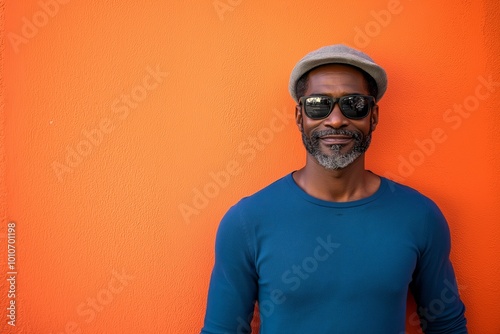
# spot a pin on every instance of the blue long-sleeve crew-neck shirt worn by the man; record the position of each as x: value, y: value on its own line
x: 316, y: 266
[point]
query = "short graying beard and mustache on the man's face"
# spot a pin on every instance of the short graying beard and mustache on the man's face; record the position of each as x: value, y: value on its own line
x: 336, y: 160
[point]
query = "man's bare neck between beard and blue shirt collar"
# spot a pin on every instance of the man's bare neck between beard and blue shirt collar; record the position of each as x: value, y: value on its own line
x: 343, y: 185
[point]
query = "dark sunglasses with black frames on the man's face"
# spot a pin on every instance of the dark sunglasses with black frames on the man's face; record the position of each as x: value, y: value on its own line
x: 352, y: 106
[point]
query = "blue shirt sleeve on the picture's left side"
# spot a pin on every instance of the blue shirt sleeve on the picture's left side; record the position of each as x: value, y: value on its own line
x: 233, y: 285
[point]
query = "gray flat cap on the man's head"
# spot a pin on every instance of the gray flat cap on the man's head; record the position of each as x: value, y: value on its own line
x: 338, y: 54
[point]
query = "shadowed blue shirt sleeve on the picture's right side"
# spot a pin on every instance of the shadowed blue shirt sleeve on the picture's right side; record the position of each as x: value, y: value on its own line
x: 434, y: 285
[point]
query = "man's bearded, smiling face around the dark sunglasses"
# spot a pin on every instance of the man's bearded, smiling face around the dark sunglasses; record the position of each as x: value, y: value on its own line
x: 336, y: 141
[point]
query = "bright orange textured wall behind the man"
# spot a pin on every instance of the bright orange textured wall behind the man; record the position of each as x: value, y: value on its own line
x: 116, y: 115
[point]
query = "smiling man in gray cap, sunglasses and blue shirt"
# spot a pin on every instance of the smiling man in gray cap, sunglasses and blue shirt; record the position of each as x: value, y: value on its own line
x: 332, y: 247
